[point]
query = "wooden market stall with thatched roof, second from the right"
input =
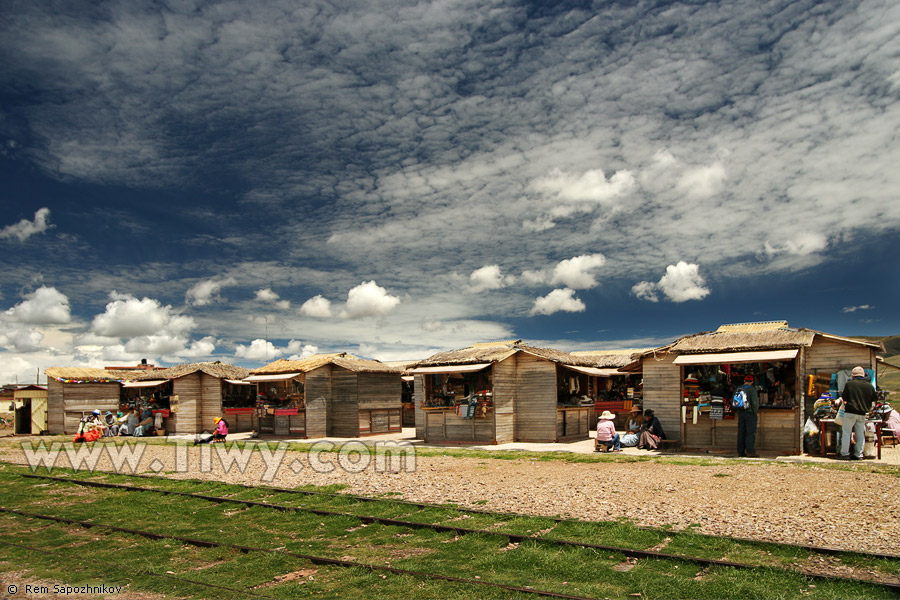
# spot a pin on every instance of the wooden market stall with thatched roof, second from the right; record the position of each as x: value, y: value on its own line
x: 500, y: 392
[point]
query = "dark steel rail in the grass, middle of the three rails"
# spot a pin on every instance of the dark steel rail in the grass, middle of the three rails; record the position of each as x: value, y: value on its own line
x: 628, y: 552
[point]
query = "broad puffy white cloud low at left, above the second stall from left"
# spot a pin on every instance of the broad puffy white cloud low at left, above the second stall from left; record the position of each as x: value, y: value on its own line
x: 126, y: 316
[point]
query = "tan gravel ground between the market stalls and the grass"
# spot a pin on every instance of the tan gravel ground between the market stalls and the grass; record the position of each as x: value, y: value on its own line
x: 764, y: 500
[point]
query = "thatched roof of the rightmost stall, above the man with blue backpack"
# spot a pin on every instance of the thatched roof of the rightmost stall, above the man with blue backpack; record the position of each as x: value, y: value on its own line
x: 742, y: 337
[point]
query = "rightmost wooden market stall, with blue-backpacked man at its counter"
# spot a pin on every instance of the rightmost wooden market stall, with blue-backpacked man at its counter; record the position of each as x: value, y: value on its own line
x: 689, y: 383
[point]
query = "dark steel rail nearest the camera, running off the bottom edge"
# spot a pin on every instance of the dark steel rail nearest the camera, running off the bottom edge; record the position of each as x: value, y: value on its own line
x: 317, y: 560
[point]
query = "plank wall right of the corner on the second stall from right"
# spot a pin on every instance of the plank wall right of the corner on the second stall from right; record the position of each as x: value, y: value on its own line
x: 535, y: 418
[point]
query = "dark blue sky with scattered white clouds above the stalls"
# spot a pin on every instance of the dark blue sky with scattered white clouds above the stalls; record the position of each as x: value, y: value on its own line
x: 234, y: 181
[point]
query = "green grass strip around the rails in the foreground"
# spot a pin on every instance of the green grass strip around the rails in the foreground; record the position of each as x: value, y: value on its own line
x: 75, y: 555
